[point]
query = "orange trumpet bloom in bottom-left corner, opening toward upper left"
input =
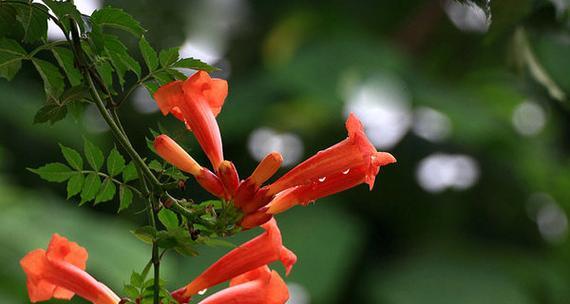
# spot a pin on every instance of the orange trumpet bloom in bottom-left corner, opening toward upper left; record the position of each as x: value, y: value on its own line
x: 59, y: 272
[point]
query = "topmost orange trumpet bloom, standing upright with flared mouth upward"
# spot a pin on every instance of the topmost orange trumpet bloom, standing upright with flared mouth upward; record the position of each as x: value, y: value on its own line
x: 197, y: 101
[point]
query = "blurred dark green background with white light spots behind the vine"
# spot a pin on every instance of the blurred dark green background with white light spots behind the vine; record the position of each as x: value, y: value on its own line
x: 471, y: 98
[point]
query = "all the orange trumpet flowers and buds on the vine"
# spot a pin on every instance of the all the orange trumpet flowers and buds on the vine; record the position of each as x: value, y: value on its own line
x: 59, y: 271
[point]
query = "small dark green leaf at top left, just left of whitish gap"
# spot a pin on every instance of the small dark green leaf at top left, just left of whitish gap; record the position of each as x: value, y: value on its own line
x: 33, y: 20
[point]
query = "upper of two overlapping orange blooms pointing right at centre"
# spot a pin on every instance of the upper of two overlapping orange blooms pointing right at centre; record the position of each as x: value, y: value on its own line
x: 356, y: 151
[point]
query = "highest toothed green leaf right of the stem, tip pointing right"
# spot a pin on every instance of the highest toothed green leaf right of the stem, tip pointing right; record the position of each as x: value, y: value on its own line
x: 116, y: 18
